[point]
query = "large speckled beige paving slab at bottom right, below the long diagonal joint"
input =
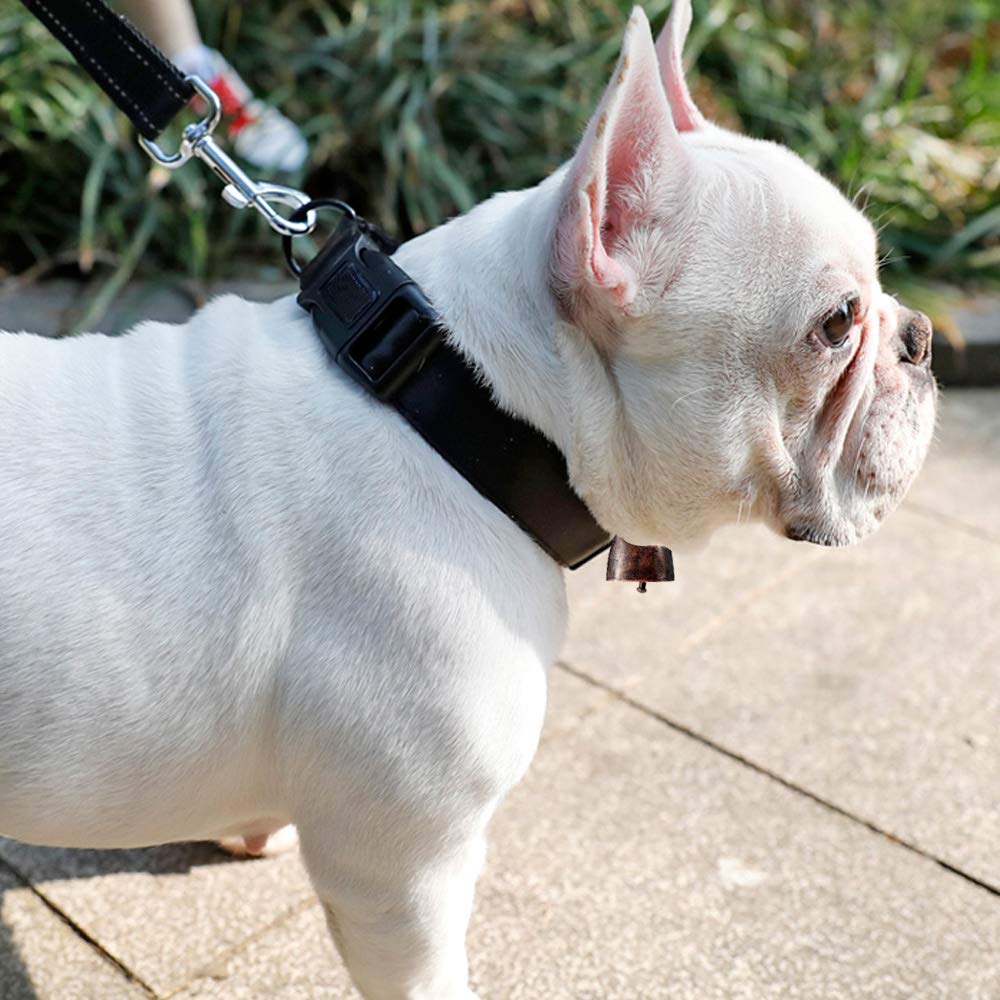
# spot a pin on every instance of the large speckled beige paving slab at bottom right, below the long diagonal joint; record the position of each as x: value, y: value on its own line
x: 634, y: 862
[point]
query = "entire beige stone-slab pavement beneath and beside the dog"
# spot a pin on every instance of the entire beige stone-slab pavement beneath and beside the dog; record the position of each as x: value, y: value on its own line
x: 778, y: 777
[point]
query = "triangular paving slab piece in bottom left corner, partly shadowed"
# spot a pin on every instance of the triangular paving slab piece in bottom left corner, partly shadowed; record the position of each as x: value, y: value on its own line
x: 41, y: 958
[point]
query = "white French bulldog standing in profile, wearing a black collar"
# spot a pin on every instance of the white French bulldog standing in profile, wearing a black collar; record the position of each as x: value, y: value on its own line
x: 238, y: 593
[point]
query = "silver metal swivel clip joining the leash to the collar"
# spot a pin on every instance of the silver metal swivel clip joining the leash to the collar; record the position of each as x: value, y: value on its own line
x: 240, y: 189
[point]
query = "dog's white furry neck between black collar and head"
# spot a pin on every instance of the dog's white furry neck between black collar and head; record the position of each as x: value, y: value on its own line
x: 487, y: 273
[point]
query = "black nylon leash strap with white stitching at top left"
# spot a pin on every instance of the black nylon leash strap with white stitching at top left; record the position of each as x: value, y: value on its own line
x: 125, y: 64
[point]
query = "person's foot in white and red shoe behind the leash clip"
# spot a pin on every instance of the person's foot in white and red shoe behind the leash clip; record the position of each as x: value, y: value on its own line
x: 260, y: 133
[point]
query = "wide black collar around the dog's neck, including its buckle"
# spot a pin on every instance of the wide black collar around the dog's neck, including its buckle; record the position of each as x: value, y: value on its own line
x: 381, y: 329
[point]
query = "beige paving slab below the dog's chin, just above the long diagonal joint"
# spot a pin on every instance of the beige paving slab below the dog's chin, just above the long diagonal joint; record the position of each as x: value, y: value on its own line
x: 872, y: 679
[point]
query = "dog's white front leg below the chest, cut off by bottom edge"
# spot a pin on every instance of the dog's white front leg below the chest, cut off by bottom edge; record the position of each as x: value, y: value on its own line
x: 399, y: 922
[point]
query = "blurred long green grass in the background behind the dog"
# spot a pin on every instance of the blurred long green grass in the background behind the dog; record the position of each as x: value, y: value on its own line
x: 415, y: 111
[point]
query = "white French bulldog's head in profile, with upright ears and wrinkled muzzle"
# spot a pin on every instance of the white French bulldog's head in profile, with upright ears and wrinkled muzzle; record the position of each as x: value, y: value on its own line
x: 734, y: 294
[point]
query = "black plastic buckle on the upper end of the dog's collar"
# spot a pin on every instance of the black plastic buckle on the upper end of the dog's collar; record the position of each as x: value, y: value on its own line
x: 372, y: 317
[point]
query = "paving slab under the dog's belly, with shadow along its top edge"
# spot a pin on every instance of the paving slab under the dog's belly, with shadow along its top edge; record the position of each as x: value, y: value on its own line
x: 165, y: 913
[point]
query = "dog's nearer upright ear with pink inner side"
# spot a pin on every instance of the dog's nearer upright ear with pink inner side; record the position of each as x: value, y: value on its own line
x: 628, y: 150
